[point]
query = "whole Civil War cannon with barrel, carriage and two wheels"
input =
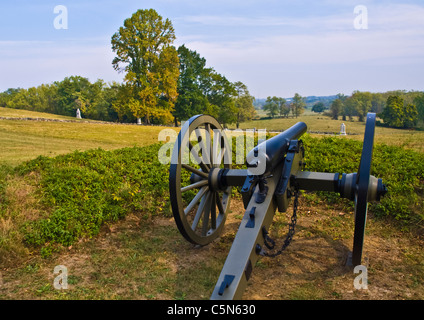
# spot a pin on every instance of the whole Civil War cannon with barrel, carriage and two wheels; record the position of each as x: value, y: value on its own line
x: 201, y: 180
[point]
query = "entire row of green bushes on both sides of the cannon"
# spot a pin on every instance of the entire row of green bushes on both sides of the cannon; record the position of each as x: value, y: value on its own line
x: 82, y: 191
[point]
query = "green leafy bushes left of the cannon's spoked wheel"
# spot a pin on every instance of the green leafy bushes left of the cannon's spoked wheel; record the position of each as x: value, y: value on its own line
x: 87, y: 189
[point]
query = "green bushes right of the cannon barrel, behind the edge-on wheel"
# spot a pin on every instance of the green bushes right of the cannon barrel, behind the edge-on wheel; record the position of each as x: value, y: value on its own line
x: 402, y: 172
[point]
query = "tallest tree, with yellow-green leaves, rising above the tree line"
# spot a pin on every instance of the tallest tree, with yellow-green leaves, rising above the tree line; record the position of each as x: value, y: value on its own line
x: 144, y: 51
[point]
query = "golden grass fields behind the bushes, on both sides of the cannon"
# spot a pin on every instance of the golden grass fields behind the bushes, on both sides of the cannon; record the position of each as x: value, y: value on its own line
x: 25, y: 140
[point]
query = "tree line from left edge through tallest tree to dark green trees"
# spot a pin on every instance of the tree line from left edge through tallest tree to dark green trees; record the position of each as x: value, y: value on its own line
x: 162, y: 84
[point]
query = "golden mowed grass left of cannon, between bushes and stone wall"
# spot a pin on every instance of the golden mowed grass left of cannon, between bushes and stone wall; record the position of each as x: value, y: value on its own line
x: 24, y: 140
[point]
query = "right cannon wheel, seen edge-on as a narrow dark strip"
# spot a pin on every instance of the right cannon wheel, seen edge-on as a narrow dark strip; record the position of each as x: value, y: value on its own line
x: 361, y: 194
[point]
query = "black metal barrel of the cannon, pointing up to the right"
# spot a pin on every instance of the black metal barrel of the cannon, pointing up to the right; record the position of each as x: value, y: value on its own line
x: 267, y: 155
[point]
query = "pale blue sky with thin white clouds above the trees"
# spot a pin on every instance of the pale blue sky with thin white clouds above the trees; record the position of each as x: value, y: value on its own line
x: 275, y: 47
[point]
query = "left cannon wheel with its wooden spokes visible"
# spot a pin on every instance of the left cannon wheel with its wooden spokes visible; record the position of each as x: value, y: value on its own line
x: 199, y: 211
